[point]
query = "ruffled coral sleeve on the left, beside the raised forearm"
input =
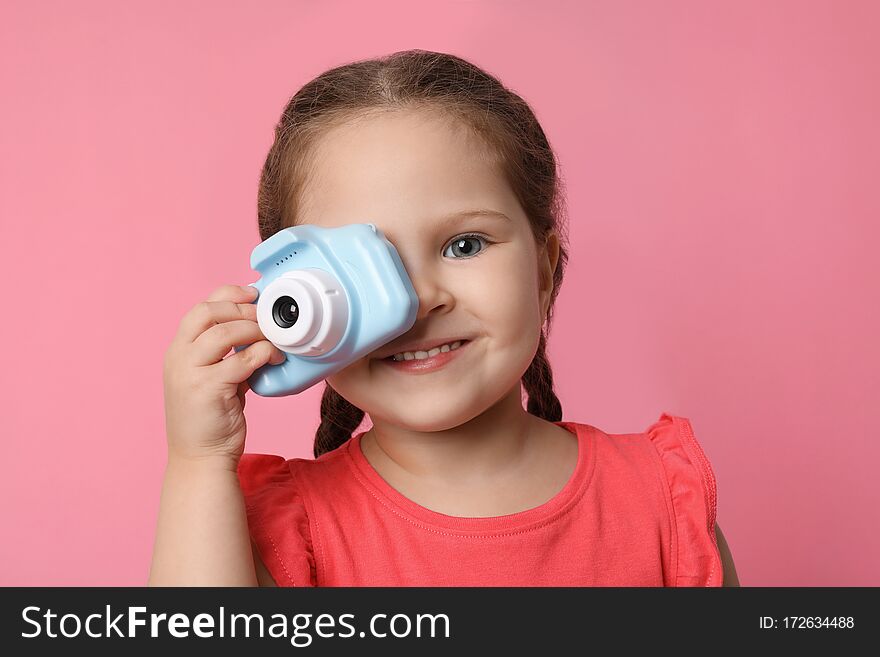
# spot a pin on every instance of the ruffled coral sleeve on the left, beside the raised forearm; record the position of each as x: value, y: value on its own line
x: 277, y: 518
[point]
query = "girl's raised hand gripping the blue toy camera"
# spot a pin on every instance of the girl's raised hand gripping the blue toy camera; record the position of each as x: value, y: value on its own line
x: 205, y: 392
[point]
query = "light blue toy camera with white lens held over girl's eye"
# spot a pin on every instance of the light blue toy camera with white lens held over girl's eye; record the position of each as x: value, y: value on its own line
x: 327, y: 297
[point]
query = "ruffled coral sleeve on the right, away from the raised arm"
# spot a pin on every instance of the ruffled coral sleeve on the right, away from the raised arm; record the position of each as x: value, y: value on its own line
x: 696, y: 559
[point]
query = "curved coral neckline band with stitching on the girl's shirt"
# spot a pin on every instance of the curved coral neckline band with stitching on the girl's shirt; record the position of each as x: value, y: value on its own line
x: 542, y: 514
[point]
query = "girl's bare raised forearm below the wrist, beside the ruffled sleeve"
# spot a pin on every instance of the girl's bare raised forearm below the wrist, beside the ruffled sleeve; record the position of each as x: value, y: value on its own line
x: 202, y: 533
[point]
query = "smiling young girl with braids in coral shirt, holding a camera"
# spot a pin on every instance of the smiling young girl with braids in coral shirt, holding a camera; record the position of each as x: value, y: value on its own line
x: 455, y: 483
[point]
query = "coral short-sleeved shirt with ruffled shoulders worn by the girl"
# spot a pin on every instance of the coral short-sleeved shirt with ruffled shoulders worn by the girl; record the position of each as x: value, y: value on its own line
x: 638, y: 510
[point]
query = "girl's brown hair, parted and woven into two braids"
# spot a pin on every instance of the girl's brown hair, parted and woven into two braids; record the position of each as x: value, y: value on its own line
x: 420, y: 79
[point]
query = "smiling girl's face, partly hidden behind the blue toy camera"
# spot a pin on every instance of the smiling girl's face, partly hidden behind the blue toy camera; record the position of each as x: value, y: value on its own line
x: 406, y: 172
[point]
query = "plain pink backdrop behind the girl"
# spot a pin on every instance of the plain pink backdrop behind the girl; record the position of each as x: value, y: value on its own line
x: 722, y: 164
